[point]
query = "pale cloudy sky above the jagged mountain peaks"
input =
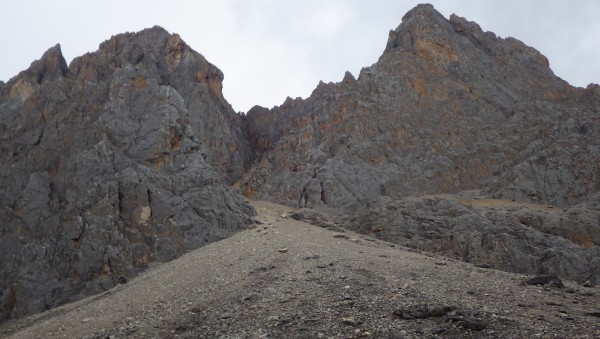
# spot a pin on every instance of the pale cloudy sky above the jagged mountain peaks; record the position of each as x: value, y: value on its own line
x: 271, y: 49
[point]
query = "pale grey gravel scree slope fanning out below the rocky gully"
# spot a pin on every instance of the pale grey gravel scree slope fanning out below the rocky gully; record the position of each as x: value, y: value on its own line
x: 285, y: 278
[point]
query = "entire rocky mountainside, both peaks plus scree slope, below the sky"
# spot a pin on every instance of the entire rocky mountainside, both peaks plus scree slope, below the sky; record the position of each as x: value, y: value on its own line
x: 455, y: 142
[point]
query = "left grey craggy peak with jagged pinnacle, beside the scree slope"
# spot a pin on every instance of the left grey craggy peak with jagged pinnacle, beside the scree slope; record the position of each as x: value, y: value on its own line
x: 107, y: 165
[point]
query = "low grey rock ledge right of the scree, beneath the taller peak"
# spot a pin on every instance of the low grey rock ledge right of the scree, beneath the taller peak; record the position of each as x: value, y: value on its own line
x: 511, y: 236
